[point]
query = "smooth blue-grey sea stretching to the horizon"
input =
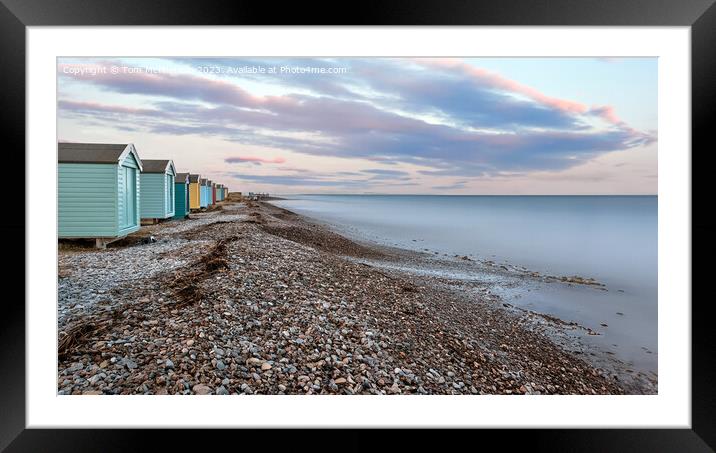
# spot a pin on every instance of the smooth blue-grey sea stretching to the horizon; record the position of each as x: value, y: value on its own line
x: 611, y: 239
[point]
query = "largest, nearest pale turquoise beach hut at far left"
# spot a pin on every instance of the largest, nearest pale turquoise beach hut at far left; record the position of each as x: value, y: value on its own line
x: 97, y: 191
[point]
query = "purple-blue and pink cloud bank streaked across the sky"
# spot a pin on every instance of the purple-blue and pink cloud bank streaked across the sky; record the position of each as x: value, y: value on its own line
x: 445, y: 115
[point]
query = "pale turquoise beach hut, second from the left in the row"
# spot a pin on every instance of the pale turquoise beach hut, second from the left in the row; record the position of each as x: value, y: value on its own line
x: 157, y: 191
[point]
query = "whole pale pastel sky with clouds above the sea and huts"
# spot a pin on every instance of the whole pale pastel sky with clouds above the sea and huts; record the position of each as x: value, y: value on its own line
x: 377, y: 125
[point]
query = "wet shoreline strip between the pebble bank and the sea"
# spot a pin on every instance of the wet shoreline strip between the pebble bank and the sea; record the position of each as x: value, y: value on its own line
x: 510, y: 282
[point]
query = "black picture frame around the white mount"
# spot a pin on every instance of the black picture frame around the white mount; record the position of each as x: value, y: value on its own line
x: 700, y: 15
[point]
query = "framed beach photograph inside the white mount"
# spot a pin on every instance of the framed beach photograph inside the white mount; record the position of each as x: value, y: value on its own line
x: 357, y: 225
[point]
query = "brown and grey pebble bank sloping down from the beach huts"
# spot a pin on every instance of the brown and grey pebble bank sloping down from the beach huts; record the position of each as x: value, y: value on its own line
x: 253, y: 298
